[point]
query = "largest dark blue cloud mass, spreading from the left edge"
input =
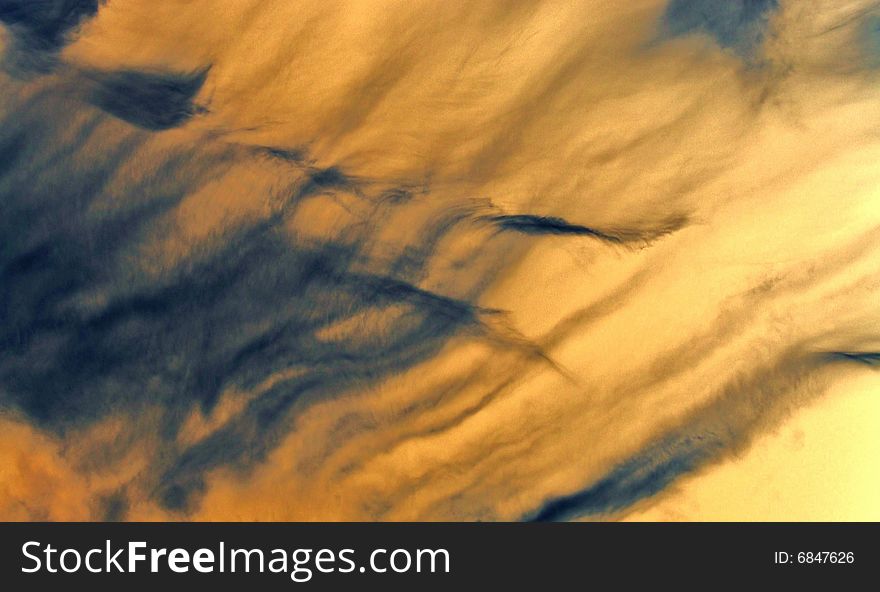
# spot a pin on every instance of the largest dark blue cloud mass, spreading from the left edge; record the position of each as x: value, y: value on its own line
x: 251, y: 308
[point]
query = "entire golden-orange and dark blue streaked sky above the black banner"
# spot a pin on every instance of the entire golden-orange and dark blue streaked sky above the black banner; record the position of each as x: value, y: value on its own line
x: 421, y: 260
